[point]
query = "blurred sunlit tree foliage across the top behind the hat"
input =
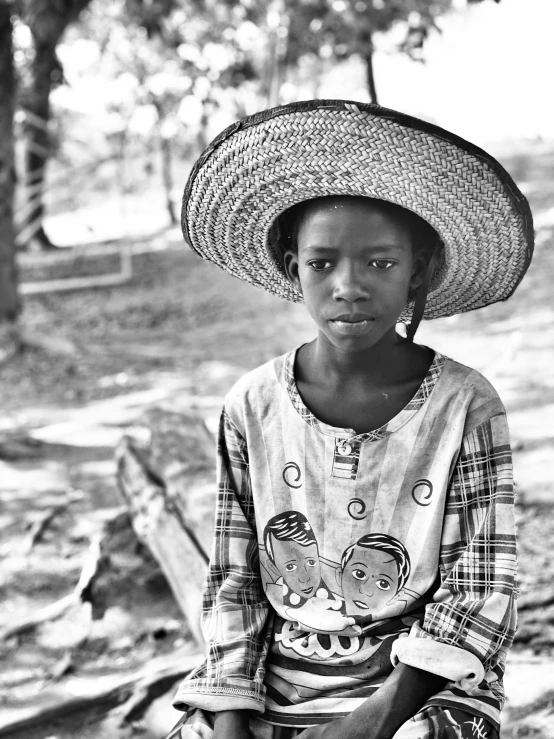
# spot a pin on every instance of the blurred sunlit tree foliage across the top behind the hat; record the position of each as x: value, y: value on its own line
x: 174, y: 72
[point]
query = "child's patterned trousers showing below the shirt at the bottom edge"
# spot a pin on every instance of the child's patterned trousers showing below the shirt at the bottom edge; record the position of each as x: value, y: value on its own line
x: 431, y: 723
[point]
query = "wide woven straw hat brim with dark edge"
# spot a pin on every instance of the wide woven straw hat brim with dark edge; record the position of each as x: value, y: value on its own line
x: 264, y: 164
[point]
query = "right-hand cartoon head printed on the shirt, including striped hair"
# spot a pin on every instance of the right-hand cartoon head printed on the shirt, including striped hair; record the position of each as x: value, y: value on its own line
x: 373, y: 571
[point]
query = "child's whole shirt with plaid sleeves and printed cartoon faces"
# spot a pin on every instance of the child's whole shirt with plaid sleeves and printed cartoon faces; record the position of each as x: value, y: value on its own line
x: 337, y: 554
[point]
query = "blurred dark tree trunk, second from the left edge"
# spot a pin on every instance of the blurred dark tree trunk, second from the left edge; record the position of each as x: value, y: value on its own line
x: 37, y: 109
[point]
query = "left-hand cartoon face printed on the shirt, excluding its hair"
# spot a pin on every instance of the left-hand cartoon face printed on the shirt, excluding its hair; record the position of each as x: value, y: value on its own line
x: 298, y: 566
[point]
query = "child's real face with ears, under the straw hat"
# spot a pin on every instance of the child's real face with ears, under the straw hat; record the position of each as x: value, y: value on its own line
x: 354, y: 267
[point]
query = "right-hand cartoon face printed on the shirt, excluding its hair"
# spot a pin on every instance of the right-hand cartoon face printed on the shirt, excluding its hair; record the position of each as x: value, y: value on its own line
x: 369, y: 581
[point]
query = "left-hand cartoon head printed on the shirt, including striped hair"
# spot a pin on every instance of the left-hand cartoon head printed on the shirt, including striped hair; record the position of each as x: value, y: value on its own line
x: 293, y: 552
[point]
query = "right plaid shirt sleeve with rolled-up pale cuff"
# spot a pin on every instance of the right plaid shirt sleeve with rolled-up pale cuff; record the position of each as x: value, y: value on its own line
x: 473, y: 616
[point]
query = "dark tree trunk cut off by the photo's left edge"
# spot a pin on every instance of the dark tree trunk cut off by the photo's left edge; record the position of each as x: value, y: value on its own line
x: 9, y: 300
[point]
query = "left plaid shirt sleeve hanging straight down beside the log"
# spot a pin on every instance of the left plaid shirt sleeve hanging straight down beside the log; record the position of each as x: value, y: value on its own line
x: 235, y: 609
